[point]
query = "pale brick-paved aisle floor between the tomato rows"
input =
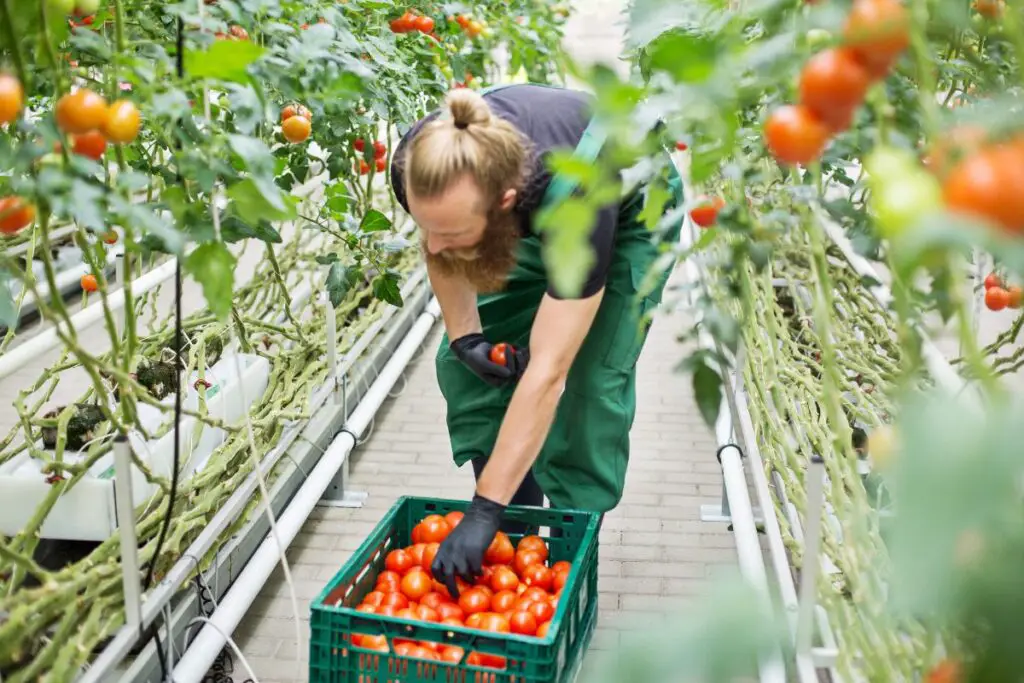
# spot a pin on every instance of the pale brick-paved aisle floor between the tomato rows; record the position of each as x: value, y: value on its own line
x: 655, y: 551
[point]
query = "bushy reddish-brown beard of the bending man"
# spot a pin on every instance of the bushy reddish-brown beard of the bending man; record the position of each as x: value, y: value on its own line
x: 487, y: 266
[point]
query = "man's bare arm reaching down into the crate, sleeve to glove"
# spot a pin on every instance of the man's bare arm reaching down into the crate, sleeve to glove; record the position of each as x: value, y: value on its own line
x: 559, y: 332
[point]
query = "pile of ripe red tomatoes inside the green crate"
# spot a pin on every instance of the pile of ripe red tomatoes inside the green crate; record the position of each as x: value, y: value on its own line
x: 518, y: 593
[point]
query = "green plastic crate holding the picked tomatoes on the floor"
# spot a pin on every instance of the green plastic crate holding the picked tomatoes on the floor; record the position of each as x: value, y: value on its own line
x: 556, y: 659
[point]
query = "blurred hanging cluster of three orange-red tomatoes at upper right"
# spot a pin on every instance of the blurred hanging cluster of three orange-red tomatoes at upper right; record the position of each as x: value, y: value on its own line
x: 834, y: 82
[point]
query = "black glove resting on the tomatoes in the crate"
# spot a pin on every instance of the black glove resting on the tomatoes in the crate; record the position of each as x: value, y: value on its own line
x: 461, y: 554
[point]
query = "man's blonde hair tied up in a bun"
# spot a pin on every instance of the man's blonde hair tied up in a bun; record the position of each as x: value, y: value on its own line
x: 466, y: 139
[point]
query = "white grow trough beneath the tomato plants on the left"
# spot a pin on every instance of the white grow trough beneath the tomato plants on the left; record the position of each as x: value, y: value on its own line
x: 88, y: 513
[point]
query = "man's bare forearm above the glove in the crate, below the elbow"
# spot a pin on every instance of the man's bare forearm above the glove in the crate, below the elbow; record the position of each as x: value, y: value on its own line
x: 524, y: 432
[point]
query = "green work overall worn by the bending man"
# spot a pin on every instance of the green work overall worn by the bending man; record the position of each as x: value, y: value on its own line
x: 583, y: 462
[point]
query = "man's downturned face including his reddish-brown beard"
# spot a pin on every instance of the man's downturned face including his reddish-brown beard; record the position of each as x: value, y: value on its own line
x: 461, y: 235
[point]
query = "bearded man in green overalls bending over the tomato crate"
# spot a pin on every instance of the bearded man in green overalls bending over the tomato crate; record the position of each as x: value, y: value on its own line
x: 552, y: 420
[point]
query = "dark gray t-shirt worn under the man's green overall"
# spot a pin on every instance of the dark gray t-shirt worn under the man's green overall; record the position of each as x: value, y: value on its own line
x: 552, y: 119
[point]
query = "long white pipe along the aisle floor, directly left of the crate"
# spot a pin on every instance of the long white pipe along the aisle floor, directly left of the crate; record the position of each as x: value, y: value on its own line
x: 233, y: 608
